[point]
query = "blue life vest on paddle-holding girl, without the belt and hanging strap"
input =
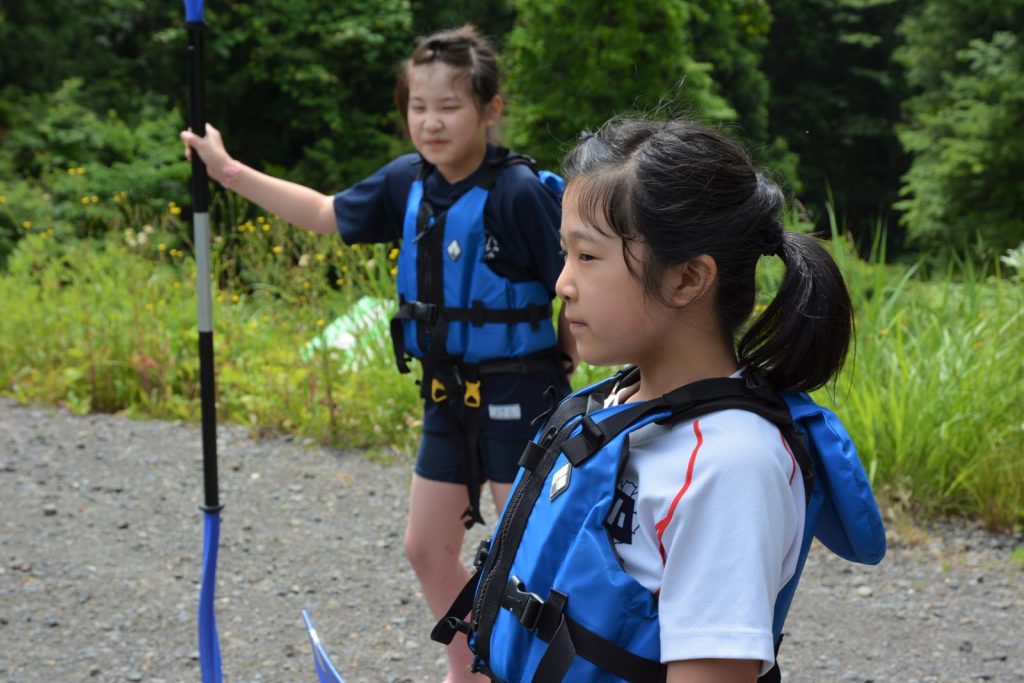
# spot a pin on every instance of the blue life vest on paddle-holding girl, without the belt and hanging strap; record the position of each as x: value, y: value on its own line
x: 449, y: 295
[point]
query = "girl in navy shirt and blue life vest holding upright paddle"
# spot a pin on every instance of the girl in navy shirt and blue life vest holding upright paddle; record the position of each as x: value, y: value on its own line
x: 477, y: 274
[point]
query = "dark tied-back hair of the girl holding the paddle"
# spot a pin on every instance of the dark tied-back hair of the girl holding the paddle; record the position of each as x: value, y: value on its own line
x: 463, y: 50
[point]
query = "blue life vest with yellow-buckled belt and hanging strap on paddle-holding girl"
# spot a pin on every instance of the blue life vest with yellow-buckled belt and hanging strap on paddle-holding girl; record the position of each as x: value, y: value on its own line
x: 456, y: 313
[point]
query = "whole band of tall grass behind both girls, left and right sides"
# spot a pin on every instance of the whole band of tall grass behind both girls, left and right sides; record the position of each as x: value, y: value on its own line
x: 932, y: 394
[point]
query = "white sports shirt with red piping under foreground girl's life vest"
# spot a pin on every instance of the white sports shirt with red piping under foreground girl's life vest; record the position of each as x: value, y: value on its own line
x: 710, y: 517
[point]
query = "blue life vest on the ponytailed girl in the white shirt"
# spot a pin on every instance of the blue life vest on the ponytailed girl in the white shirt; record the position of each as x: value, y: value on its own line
x: 550, y: 600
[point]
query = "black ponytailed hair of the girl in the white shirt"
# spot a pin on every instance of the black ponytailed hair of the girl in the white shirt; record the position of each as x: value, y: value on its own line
x: 679, y: 190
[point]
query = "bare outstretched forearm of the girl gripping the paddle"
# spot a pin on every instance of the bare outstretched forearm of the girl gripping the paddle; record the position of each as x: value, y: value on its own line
x: 296, y: 204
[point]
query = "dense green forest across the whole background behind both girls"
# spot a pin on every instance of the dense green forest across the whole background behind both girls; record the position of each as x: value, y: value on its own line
x: 903, y: 114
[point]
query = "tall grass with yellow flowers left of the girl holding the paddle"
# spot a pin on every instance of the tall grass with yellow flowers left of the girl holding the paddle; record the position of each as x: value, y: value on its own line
x: 111, y: 326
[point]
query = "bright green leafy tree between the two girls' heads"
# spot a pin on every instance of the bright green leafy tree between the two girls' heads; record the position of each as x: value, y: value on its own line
x: 575, y: 64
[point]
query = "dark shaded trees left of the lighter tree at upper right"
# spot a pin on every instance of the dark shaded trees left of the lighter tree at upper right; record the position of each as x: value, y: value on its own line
x: 835, y: 100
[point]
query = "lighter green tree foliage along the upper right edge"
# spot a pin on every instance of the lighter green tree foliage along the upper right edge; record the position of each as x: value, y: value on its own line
x: 965, y: 65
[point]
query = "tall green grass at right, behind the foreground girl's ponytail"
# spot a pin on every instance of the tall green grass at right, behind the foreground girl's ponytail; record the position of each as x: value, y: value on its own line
x: 933, y: 393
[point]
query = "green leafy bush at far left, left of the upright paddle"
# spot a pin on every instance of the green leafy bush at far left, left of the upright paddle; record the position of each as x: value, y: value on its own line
x: 78, y: 175
